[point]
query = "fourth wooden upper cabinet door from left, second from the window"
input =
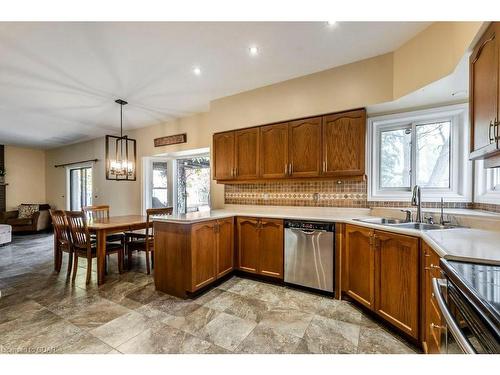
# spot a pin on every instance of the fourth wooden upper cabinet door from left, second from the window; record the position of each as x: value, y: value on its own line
x: 304, y: 147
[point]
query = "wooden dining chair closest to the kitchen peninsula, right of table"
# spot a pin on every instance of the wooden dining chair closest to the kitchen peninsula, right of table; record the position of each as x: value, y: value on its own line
x: 145, y: 241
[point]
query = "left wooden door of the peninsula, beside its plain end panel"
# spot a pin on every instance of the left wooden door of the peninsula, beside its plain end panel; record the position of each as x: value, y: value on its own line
x: 203, y: 254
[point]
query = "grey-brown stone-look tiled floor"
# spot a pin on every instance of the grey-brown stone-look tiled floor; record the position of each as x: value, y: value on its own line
x: 41, y: 313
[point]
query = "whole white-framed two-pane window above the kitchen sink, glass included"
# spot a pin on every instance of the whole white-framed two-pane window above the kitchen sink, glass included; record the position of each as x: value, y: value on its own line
x: 426, y: 148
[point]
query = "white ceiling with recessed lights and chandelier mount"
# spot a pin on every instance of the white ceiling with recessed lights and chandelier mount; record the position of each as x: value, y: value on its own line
x: 58, y: 81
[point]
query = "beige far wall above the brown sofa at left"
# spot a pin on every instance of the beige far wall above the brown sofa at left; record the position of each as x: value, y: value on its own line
x: 25, y: 175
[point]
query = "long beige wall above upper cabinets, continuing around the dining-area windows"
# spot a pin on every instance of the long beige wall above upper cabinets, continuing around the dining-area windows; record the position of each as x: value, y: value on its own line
x: 376, y: 80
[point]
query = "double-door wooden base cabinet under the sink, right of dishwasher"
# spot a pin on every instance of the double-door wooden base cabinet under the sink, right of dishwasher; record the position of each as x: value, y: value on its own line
x: 382, y: 273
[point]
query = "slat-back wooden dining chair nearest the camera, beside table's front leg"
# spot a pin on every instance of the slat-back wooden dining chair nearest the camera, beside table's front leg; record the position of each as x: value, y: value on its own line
x: 85, y: 247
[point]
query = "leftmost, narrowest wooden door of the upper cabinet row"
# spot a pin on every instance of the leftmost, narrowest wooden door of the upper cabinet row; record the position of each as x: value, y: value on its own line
x: 223, y: 144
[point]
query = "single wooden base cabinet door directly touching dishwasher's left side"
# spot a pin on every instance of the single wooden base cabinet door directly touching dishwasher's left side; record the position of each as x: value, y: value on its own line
x: 271, y: 248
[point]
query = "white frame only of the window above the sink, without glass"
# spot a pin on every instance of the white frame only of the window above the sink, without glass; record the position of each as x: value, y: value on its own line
x: 460, y: 167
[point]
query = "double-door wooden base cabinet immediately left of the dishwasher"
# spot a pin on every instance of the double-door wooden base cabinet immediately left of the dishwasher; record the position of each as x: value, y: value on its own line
x: 260, y: 246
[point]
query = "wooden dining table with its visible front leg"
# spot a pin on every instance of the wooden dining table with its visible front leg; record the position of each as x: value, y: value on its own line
x: 113, y: 224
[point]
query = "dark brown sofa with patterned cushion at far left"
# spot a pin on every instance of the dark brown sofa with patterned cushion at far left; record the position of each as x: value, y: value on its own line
x: 34, y: 218
